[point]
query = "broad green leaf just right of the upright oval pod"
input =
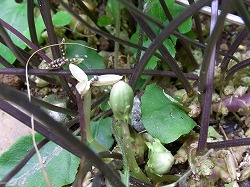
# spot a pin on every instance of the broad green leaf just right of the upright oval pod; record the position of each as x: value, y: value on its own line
x: 161, y: 118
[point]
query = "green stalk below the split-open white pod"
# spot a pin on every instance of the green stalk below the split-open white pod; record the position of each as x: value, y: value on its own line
x: 89, y: 136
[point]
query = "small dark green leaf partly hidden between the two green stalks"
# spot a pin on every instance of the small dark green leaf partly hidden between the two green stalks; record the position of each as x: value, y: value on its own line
x: 102, y: 132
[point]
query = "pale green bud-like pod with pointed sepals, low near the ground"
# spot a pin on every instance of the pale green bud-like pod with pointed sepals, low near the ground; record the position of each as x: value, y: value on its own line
x: 160, y: 160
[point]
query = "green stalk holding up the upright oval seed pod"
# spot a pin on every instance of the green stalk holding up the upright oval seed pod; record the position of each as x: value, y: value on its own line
x: 130, y: 155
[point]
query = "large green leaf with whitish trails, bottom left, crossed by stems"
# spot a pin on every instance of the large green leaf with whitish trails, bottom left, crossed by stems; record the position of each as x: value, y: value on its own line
x: 60, y: 165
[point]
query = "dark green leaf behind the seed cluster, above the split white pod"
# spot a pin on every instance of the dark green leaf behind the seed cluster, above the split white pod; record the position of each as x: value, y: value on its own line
x: 92, y: 60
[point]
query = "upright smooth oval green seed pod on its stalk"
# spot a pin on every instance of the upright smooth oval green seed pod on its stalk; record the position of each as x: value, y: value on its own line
x: 121, y: 100
